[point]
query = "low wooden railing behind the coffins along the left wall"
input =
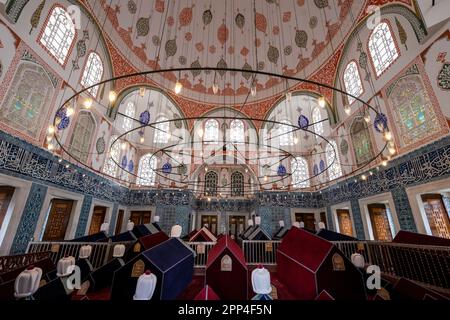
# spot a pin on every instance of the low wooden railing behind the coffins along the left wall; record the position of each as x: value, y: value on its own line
x: 101, y: 251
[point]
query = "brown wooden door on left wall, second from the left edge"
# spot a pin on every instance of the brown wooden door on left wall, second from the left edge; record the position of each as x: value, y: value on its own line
x: 58, y: 219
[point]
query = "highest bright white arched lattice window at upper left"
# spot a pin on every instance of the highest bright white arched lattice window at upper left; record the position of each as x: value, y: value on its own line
x: 58, y: 34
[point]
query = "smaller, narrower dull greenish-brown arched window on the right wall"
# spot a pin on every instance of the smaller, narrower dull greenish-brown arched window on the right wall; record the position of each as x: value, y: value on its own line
x: 362, y: 144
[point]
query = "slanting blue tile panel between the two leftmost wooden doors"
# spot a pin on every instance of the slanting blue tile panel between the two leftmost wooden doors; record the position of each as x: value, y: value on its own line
x: 29, y: 219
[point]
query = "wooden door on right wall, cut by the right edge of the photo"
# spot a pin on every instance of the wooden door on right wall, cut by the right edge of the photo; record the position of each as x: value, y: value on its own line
x: 437, y: 215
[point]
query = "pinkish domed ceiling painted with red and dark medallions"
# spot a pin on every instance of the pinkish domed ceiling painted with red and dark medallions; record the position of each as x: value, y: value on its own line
x: 293, y: 37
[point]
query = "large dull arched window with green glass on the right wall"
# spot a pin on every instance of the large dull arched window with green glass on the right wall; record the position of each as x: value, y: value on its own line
x: 413, y: 110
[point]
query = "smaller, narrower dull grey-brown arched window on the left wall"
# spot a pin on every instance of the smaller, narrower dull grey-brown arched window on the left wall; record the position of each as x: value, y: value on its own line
x: 80, y: 143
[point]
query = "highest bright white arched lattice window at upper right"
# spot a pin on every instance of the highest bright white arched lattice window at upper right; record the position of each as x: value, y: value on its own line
x: 382, y: 48
